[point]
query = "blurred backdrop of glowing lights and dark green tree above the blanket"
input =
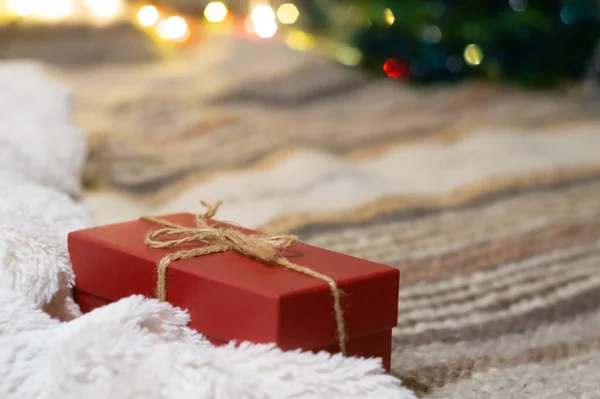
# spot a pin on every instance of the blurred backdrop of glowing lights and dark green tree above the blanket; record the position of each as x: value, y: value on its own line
x: 531, y: 43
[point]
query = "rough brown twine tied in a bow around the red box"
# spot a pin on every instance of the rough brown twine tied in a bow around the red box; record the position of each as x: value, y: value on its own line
x: 265, y: 249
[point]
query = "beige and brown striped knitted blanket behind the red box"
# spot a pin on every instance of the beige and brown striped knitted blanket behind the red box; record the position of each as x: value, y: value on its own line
x: 487, y: 199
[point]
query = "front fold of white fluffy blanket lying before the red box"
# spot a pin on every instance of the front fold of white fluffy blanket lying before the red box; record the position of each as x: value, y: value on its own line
x: 139, y: 348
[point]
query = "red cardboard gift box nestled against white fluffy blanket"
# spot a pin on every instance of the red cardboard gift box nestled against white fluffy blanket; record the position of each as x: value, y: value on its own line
x: 232, y: 297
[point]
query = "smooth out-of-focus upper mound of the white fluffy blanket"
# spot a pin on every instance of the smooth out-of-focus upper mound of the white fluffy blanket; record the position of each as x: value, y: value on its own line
x: 36, y: 135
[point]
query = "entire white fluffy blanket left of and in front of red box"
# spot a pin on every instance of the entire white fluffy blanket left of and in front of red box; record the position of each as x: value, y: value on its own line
x: 134, y: 348
